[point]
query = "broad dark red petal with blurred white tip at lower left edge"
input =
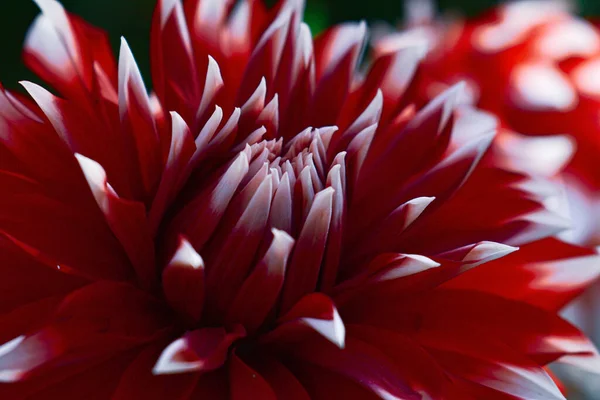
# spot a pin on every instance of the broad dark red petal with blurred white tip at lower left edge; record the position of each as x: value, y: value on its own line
x: 99, y: 320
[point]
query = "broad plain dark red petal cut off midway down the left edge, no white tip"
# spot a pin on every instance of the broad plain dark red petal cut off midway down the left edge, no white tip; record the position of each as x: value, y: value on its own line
x: 68, y: 233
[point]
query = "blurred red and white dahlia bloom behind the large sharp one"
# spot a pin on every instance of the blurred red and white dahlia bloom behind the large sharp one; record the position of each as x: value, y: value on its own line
x: 535, y: 66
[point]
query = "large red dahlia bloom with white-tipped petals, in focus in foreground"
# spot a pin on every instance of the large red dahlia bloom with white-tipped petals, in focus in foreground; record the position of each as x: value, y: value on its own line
x: 270, y: 224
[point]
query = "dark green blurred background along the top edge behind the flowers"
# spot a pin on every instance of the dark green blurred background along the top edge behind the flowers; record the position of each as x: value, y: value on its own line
x: 131, y: 18
